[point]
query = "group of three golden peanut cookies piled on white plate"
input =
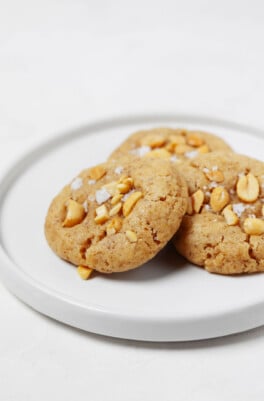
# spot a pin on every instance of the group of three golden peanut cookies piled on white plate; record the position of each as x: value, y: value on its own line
x: 159, y: 185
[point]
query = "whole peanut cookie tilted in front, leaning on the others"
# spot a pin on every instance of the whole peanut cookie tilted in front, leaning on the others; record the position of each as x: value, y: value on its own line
x: 116, y: 216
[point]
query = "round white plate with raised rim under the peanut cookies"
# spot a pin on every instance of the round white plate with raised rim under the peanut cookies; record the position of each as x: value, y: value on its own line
x: 167, y: 299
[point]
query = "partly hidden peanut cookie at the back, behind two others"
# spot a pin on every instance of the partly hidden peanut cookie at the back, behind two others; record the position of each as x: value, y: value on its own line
x: 177, y: 145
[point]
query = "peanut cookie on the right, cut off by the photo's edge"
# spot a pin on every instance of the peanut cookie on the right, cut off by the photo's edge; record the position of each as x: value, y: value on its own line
x: 223, y: 229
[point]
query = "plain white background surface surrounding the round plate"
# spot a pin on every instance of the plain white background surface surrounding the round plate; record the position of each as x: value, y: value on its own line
x: 64, y: 63
